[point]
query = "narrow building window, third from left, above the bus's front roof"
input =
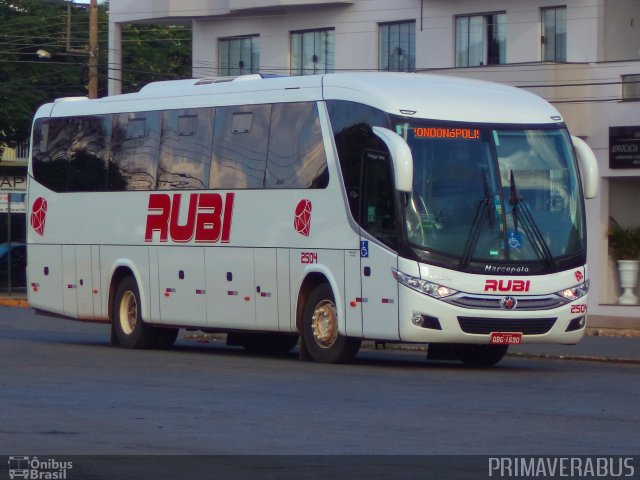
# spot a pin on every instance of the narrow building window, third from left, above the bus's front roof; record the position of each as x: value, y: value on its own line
x: 397, y: 52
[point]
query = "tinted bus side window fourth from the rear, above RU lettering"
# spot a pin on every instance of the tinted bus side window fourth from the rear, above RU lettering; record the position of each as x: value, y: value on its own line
x: 185, y: 149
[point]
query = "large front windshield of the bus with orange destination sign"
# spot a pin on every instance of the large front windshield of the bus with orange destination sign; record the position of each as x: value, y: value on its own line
x: 483, y: 194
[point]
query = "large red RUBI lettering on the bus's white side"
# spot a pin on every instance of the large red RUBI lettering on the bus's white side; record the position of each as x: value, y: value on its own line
x: 208, y: 218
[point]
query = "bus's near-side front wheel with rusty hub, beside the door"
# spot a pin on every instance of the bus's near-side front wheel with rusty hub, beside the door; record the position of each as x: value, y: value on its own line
x: 322, y: 341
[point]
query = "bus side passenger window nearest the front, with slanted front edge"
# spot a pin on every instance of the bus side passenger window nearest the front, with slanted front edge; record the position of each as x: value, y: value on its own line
x: 296, y: 151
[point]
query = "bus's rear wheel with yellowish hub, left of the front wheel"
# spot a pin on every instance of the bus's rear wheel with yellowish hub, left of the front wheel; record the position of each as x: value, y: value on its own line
x: 126, y: 323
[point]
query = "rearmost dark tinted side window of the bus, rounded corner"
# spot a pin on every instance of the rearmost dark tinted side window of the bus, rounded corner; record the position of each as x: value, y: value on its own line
x: 51, y: 140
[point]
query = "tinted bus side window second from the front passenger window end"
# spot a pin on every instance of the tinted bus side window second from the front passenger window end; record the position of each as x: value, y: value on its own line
x: 240, y: 139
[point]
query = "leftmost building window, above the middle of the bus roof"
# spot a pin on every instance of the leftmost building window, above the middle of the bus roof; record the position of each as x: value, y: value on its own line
x: 239, y: 55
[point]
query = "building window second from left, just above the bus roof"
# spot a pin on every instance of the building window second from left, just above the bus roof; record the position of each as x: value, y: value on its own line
x: 312, y: 51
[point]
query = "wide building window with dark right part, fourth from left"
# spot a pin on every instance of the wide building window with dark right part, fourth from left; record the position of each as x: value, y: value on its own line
x: 481, y: 39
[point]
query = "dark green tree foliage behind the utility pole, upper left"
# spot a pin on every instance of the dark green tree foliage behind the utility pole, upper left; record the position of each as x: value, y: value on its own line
x: 150, y: 52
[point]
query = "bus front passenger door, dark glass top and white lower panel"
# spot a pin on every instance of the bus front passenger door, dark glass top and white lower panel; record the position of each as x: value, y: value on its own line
x: 377, y: 248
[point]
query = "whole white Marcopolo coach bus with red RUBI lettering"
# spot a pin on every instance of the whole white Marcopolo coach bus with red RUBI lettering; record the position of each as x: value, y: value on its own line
x: 329, y: 209
